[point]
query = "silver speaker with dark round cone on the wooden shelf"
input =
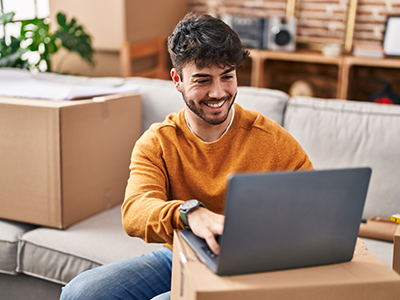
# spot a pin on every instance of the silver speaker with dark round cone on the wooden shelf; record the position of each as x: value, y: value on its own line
x: 280, y: 34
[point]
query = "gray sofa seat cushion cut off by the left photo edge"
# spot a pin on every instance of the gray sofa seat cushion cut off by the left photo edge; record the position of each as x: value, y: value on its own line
x: 9, y: 232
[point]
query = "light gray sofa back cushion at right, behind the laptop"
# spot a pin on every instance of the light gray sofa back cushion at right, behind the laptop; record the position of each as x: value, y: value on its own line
x: 338, y: 134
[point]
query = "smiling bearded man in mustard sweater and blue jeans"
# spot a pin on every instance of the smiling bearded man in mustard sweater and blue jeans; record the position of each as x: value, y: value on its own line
x: 188, y: 157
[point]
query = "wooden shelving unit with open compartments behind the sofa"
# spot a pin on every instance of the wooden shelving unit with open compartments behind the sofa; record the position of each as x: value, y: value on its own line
x: 340, y: 74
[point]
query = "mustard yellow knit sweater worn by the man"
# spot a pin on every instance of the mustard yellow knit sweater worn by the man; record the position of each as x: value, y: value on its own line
x: 171, y: 165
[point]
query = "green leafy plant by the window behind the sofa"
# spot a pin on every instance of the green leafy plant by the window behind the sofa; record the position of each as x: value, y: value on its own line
x: 36, y: 39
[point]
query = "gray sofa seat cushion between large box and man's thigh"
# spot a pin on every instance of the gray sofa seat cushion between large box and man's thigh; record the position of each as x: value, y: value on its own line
x: 59, y: 255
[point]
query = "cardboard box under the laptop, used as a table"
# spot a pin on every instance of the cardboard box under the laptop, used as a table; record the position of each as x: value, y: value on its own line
x: 365, y: 277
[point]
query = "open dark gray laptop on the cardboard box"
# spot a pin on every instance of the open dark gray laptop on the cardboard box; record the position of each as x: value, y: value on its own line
x: 286, y: 220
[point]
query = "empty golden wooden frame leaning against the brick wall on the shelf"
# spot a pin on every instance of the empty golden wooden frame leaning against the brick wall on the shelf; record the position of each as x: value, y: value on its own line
x: 312, y: 43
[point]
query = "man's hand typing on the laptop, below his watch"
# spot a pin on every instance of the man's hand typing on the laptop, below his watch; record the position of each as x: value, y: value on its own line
x: 206, y: 224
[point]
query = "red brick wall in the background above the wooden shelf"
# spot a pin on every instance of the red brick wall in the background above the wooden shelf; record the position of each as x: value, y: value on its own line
x: 319, y: 20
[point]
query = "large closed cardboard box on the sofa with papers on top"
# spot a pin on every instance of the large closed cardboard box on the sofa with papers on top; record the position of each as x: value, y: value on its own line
x: 63, y: 161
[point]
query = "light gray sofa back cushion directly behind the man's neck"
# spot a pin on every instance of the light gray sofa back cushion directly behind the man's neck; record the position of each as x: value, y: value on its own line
x: 160, y: 98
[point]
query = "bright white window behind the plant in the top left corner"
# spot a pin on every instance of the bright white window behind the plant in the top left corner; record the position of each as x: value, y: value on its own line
x: 24, y: 10
